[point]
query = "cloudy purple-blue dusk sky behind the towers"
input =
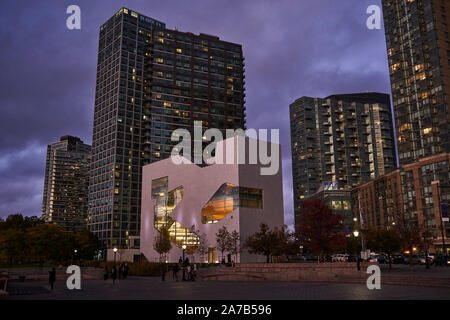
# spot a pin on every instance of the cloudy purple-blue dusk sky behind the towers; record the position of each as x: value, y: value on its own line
x: 292, y: 48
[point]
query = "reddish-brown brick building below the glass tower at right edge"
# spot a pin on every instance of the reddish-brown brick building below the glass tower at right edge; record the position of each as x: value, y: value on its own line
x: 407, y: 195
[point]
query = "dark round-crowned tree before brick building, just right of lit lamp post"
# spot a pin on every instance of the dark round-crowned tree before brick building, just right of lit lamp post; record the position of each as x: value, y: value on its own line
x: 385, y: 241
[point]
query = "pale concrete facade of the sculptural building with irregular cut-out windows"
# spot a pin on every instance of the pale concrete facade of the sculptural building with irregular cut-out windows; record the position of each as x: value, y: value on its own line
x: 200, y: 185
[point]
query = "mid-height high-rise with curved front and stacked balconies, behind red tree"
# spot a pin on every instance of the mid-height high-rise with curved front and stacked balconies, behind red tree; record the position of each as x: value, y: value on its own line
x: 346, y: 139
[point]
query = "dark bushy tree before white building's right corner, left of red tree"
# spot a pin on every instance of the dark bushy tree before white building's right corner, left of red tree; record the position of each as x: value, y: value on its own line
x: 262, y: 242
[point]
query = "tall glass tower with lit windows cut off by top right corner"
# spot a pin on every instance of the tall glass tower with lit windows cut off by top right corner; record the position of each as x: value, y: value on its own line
x: 418, y: 45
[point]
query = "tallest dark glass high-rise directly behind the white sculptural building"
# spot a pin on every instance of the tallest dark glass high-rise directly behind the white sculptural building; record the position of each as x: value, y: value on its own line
x: 151, y: 81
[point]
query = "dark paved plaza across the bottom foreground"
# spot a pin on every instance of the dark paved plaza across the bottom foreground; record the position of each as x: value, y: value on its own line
x: 152, y: 288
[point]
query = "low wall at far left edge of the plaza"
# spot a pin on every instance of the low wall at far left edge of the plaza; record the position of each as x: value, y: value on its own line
x: 42, y: 273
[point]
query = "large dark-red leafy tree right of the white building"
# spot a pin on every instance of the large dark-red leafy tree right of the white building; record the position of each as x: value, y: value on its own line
x: 320, y: 230
